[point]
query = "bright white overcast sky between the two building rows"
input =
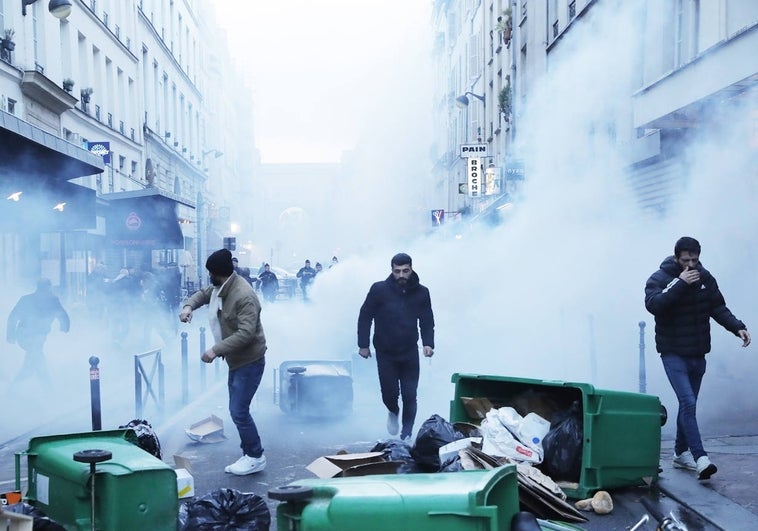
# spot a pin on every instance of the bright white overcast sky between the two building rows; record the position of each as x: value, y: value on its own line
x: 313, y: 65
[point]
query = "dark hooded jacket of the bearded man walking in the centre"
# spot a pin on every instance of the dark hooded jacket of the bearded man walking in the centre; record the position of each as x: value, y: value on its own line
x: 397, y: 312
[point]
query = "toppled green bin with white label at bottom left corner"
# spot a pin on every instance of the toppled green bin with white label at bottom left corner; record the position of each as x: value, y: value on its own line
x: 133, y: 489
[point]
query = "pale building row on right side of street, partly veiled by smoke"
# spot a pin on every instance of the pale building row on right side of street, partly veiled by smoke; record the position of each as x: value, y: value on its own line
x: 689, y: 62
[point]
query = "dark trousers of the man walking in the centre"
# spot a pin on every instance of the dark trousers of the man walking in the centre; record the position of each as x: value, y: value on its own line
x: 398, y: 376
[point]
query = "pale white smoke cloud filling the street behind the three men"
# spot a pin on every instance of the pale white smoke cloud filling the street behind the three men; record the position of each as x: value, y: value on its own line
x: 555, y: 293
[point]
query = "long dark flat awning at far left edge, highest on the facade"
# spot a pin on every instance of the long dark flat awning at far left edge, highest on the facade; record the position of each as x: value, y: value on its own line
x: 28, y: 151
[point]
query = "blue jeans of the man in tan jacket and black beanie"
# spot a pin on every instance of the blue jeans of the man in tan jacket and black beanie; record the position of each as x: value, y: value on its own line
x: 243, y: 383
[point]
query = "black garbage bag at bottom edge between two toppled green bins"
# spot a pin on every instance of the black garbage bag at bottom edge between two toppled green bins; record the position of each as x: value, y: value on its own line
x: 225, y: 510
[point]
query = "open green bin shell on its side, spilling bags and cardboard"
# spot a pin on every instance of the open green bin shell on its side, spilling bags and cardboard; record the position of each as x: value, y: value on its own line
x: 622, y: 430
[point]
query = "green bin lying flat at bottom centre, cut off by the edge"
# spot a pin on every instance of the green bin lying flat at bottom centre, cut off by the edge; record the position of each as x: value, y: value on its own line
x: 455, y: 501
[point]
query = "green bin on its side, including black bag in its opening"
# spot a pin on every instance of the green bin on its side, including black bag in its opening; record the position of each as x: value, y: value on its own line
x: 617, y: 433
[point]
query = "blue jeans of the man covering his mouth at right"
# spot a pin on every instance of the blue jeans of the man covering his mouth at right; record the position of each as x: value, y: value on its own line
x: 685, y: 375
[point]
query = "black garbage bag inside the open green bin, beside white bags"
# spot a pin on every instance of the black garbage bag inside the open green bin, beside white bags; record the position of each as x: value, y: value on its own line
x: 563, y: 445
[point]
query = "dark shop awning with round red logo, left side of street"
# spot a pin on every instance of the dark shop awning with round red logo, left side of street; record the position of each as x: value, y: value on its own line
x: 145, y: 219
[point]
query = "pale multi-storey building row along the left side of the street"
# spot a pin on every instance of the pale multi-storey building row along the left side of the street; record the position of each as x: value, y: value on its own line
x: 139, y: 94
